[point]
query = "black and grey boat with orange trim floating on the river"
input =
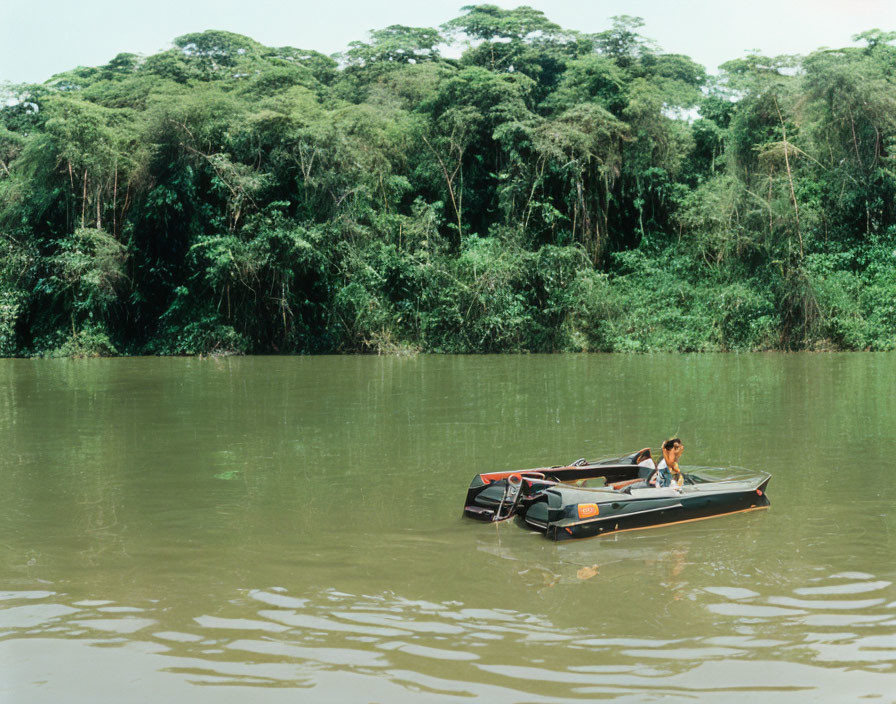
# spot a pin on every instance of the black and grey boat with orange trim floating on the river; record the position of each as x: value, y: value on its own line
x: 586, y: 499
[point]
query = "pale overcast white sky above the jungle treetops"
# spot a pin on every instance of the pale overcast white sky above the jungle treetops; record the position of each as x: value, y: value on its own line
x: 41, y: 37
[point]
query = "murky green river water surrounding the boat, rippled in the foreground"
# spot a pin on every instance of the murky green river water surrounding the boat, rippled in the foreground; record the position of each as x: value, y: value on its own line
x: 289, y: 530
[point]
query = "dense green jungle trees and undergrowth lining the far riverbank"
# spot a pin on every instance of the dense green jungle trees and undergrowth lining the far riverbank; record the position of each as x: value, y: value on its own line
x: 547, y: 190
